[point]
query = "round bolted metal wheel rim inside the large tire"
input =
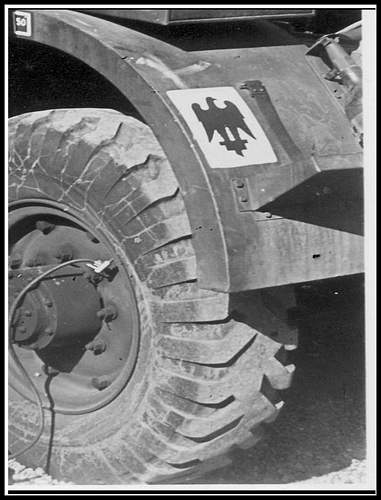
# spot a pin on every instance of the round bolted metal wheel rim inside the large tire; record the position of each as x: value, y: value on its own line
x: 77, y: 330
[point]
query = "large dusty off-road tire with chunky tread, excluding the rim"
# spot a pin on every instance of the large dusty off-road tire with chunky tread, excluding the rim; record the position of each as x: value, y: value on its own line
x: 204, y: 377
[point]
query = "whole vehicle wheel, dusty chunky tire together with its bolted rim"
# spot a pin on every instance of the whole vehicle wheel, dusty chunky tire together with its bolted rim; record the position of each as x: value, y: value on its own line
x: 143, y: 374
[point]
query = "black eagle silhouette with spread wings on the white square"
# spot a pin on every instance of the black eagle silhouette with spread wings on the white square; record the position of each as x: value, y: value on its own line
x: 225, y: 121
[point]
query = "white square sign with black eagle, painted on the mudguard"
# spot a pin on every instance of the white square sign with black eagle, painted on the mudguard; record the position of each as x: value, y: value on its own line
x: 224, y: 127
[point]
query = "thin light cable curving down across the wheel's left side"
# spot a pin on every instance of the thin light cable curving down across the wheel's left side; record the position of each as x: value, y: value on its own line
x: 15, y: 357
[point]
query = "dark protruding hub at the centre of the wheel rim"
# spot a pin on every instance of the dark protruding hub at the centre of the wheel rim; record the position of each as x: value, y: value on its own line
x: 61, y: 309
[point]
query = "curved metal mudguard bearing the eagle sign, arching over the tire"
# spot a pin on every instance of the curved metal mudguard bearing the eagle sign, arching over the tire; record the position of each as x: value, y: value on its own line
x: 278, y: 199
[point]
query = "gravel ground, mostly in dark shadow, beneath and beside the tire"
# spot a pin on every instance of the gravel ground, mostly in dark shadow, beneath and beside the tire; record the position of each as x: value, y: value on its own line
x: 319, y: 438
